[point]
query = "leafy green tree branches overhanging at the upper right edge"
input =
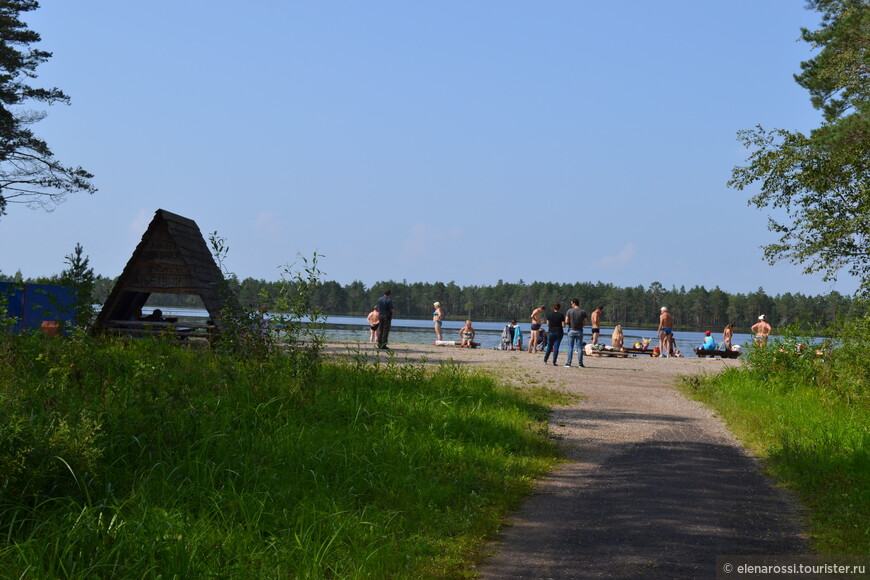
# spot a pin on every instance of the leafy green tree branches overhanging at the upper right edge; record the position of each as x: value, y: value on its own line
x: 821, y: 180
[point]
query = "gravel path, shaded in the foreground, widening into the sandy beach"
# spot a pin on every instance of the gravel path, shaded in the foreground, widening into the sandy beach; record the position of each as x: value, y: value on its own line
x: 655, y: 485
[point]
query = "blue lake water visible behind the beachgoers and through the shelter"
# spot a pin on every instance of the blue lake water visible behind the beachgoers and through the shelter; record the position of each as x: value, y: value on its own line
x: 488, y: 334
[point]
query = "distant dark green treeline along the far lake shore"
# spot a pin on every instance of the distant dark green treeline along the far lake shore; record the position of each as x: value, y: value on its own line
x: 696, y: 308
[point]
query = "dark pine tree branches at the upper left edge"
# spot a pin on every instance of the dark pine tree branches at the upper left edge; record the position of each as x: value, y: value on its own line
x: 29, y: 173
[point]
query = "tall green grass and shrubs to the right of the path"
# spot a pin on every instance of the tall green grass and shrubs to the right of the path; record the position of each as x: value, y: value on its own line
x: 807, y: 413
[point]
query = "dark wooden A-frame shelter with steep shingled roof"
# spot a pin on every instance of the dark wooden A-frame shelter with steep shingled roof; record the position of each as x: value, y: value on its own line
x: 172, y: 258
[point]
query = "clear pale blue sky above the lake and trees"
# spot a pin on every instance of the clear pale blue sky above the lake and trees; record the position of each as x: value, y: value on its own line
x: 469, y: 141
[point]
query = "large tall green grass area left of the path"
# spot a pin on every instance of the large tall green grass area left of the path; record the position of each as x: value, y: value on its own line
x: 140, y: 459
